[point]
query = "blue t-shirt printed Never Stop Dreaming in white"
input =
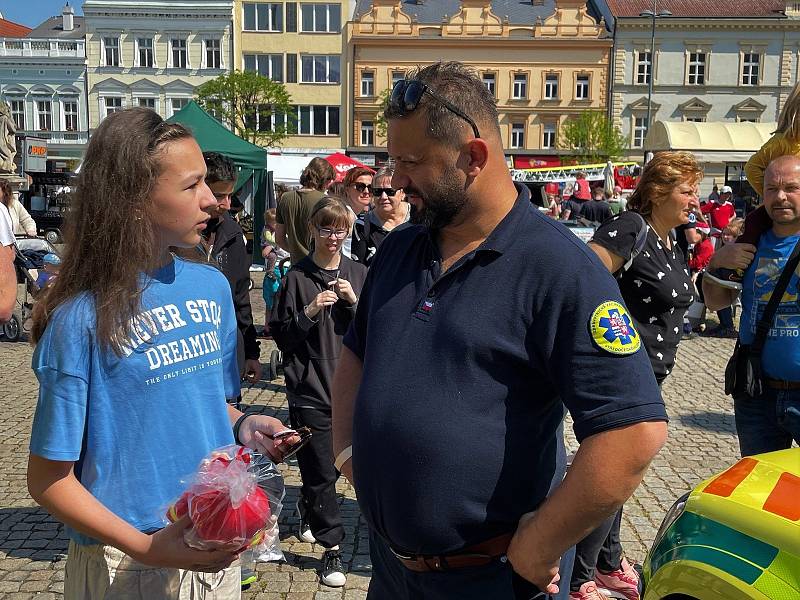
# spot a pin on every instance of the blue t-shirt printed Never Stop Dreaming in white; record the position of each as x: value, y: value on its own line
x: 137, y: 425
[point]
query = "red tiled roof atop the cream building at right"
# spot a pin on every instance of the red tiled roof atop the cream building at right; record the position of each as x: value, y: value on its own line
x: 702, y: 8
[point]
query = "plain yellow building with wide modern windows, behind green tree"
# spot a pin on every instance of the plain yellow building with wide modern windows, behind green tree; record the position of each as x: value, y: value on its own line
x: 300, y: 45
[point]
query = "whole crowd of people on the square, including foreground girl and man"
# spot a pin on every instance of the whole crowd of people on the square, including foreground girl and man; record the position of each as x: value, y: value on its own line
x: 432, y: 360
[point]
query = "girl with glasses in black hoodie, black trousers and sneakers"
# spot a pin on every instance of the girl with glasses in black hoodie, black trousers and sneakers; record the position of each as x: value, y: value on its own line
x: 315, y: 306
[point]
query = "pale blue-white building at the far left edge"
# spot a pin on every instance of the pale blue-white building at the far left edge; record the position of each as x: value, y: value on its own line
x: 43, y: 79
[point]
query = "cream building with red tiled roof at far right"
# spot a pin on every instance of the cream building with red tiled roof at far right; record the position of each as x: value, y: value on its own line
x: 722, y: 61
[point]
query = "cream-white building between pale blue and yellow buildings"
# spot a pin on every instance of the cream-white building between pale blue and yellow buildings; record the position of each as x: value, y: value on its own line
x: 154, y: 53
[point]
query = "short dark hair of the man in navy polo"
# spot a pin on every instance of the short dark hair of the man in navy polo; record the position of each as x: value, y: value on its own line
x: 460, y: 86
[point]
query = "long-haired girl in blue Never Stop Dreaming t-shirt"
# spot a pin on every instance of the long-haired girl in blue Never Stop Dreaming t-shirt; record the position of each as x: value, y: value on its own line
x: 136, y: 356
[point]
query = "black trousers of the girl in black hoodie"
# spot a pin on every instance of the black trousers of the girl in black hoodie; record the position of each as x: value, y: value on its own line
x: 318, y: 501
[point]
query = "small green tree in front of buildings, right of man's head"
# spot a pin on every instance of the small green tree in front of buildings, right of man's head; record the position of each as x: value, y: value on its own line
x: 592, y: 137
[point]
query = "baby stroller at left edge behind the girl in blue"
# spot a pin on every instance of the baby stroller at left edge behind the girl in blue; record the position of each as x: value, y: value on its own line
x: 29, y: 253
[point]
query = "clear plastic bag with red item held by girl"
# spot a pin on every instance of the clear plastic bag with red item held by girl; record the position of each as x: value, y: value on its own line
x: 226, y: 502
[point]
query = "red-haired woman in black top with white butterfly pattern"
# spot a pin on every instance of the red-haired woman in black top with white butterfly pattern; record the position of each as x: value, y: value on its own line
x: 639, y: 247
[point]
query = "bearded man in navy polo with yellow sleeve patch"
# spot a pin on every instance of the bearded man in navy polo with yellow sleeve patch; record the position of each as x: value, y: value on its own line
x: 472, y: 329
